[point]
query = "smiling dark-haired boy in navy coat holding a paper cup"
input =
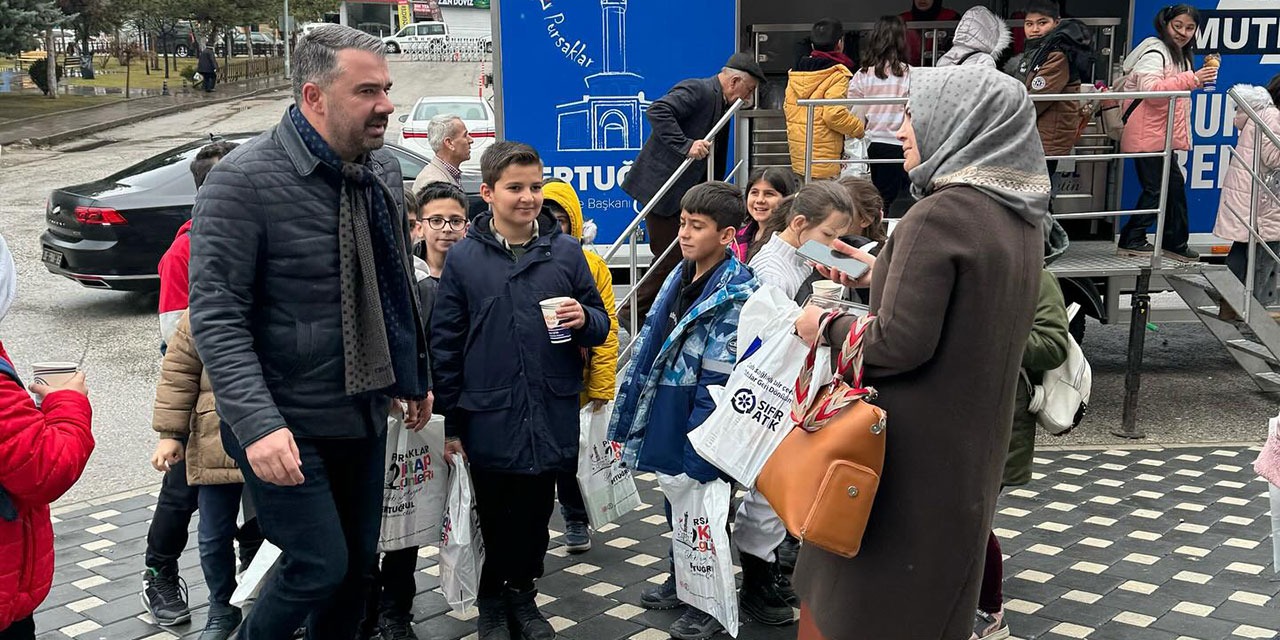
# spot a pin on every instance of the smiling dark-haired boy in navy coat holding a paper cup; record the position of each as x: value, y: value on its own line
x: 510, y: 396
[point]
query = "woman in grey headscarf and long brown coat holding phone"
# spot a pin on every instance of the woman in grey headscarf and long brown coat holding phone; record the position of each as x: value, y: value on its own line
x: 954, y: 294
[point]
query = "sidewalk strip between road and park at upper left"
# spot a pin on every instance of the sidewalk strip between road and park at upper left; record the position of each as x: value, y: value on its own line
x: 63, y: 126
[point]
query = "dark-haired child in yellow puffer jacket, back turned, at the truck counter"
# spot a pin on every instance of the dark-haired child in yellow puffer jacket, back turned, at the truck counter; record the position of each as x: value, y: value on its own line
x: 825, y: 74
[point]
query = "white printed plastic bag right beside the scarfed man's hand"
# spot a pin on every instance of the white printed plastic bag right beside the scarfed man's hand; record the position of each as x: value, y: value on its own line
x: 415, y: 487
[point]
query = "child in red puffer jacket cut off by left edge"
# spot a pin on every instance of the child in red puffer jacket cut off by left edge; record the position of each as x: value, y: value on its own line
x: 43, y: 452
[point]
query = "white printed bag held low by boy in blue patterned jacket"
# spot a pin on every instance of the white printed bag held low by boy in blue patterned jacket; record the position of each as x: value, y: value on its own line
x: 700, y: 542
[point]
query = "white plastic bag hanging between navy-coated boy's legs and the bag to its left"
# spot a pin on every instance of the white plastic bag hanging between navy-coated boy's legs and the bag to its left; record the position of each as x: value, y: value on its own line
x: 461, y: 543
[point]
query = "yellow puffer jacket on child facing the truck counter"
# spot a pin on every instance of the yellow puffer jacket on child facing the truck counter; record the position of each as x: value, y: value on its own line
x: 831, y: 125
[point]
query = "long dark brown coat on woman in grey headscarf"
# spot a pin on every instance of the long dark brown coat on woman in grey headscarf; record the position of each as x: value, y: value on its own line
x: 954, y: 294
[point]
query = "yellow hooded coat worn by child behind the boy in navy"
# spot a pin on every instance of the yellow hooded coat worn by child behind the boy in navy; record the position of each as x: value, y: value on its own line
x: 602, y: 364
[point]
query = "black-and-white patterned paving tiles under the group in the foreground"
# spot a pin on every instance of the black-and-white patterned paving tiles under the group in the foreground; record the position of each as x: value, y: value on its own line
x: 1135, y: 545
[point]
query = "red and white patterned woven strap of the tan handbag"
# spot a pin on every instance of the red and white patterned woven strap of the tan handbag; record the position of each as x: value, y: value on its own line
x: 812, y: 418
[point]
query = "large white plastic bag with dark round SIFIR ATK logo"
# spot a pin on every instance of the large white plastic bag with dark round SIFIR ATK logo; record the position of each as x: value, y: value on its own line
x: 753, y: 415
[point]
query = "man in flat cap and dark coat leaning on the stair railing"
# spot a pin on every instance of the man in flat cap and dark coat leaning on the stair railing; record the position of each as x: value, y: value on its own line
x: 679, y: 122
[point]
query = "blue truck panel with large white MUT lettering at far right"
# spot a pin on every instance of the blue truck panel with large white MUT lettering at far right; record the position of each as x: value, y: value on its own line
x: 1247, y: 35
